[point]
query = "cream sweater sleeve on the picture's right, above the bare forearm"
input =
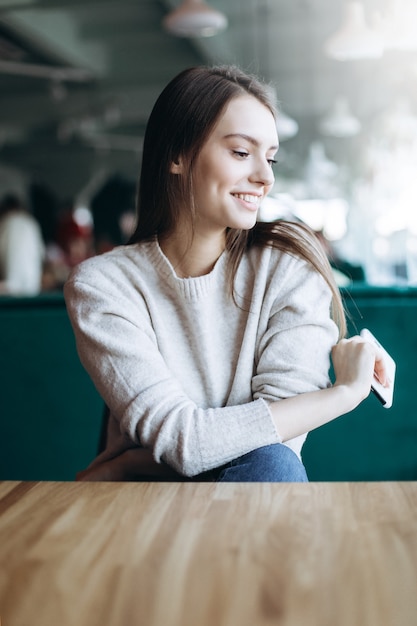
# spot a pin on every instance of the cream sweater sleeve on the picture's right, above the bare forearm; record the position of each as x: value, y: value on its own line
x: 296, y: 336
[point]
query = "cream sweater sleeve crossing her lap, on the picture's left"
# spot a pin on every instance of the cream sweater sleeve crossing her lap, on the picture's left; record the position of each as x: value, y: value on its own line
x: 119, y: 350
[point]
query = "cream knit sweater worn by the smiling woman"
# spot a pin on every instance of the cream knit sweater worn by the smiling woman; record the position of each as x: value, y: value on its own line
x: 186, y: 372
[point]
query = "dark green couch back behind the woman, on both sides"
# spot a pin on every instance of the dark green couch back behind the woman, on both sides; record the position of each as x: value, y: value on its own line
x: 50, y: 412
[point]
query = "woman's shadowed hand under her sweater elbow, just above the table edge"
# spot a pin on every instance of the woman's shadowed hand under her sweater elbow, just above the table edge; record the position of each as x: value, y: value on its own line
x: 133, y: 464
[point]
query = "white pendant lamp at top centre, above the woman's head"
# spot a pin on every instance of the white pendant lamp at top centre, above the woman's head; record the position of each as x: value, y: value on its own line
x: 194, y: 18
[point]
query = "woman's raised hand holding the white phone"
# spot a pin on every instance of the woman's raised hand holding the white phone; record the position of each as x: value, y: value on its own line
x: 355, y: 362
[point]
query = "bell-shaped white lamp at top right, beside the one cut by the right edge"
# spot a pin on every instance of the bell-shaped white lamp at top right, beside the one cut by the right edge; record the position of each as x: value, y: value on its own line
x: 354, y: 39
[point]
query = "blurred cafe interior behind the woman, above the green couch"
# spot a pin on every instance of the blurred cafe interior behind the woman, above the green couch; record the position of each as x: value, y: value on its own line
x: 78, y: 79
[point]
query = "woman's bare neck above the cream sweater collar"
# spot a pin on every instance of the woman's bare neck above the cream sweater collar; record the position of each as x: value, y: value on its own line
x: 192, y: 257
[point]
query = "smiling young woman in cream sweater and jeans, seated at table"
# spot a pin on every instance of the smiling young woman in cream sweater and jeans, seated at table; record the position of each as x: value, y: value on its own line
x: 209, y: 335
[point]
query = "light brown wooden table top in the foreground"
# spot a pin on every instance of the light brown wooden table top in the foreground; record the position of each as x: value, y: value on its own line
x: 206, y: 554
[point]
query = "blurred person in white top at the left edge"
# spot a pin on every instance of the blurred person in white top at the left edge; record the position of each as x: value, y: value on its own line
x: 22, y: 249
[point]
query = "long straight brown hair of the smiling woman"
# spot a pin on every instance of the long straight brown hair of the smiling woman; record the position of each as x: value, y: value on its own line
x: 182, y: 119
